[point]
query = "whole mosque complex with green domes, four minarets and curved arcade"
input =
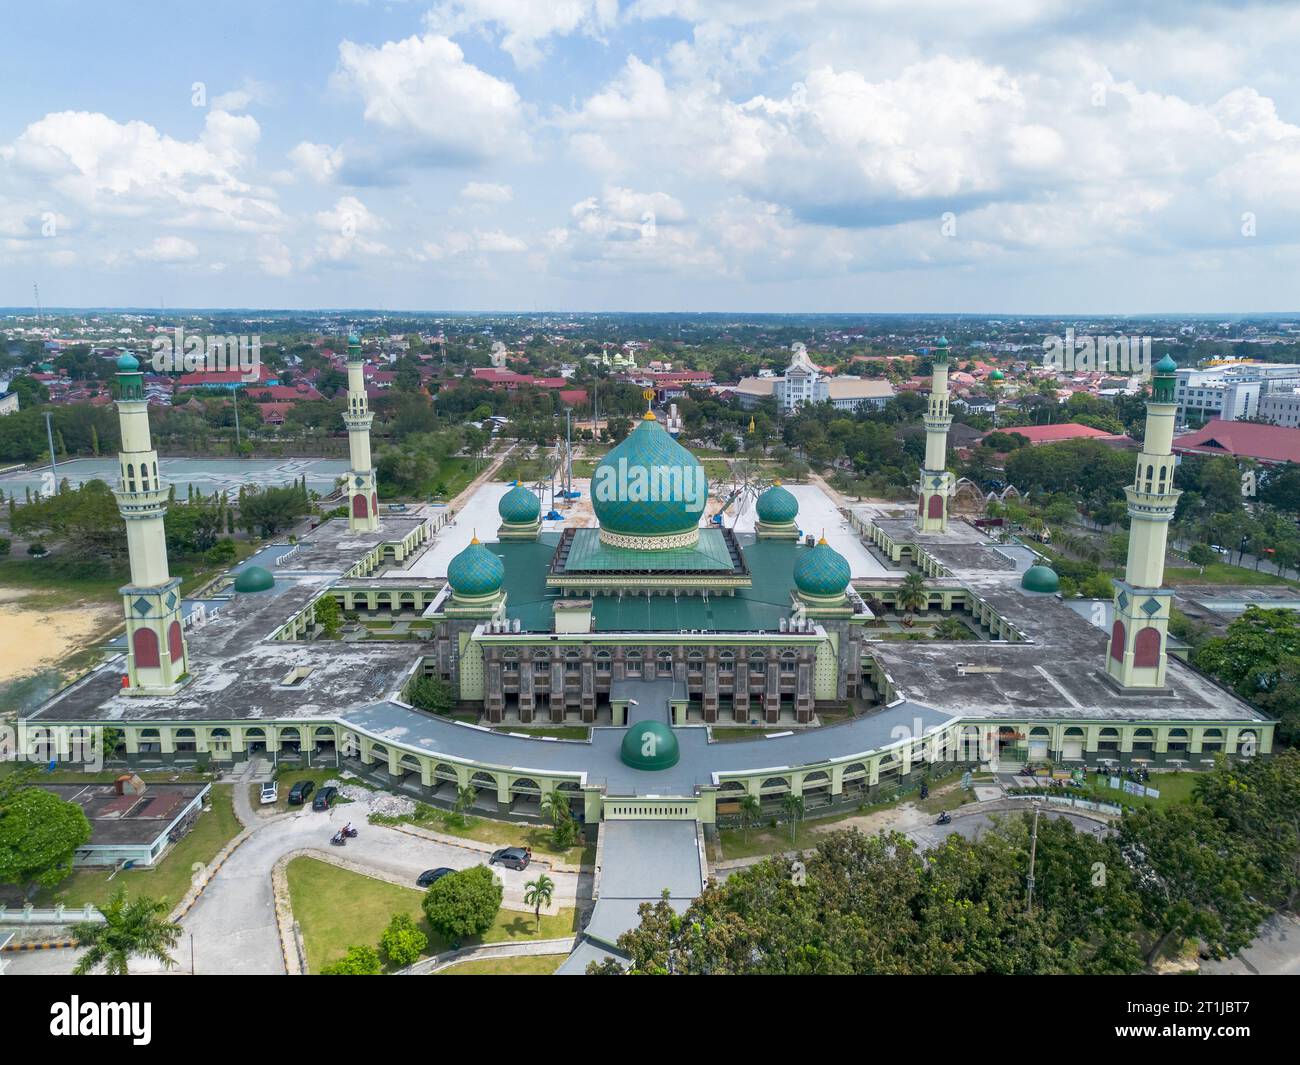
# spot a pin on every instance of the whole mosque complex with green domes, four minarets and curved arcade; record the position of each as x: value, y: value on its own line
x: 664, y: 630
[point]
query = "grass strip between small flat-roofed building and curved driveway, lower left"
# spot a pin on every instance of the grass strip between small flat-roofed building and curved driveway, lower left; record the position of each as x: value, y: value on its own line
x: 171, y: 878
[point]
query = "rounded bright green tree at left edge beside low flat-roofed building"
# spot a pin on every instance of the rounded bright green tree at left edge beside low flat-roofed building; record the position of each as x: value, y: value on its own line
x: 40, y: 835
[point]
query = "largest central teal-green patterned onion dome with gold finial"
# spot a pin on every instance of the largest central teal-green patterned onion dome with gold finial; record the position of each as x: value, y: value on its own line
x: 649, y: 487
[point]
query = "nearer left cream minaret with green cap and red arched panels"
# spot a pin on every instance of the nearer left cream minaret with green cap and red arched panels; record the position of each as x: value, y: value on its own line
x: 157, y: 656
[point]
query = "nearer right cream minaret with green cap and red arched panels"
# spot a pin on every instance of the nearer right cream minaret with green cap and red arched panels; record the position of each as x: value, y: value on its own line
x: 1137, y: 656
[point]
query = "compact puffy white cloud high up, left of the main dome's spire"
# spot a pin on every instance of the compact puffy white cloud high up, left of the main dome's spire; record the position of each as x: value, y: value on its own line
x: 424, y: 89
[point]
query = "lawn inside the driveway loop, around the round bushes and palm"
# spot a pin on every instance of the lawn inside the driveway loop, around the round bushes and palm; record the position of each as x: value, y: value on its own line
x: 339, y: 910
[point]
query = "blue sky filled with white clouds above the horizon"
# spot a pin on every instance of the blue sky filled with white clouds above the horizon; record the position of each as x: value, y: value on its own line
x: 733, y: 155
